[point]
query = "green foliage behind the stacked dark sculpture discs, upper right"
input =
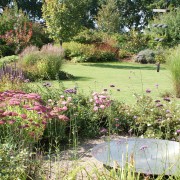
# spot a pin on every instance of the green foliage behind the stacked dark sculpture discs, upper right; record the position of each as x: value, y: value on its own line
x: 165, y: 29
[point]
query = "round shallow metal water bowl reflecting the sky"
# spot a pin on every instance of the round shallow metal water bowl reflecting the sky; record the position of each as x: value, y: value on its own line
x: 149, y: 156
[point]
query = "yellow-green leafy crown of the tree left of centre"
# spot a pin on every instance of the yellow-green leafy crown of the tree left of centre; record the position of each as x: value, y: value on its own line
x: 64, y: 19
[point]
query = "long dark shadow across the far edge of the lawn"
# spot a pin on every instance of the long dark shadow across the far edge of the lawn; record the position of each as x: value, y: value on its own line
x: 130, y: 67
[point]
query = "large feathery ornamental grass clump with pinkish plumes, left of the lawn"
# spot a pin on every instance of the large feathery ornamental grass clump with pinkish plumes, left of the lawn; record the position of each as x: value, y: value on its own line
x: 43, y: 64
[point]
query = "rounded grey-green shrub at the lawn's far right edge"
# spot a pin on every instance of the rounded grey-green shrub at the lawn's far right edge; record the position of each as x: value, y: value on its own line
x: 146, y: 56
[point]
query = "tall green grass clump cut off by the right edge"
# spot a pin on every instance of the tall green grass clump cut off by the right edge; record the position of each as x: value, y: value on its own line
x: 174, y: 67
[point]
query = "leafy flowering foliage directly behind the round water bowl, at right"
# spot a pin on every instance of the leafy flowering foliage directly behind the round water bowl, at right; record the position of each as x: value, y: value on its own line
x: 161, y: 118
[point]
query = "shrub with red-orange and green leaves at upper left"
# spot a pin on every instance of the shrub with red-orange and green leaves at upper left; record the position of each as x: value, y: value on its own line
x: 15, y: 29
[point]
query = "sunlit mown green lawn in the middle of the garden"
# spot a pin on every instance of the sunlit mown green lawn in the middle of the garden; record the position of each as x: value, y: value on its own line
x: 130, y: 78
